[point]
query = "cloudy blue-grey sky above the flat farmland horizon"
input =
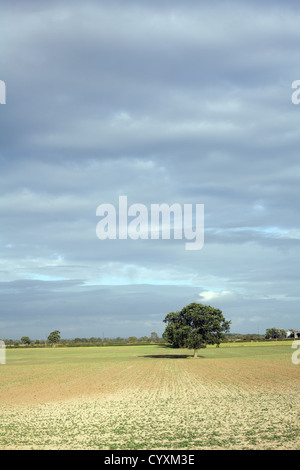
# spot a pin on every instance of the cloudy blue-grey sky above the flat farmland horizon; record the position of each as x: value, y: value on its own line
x: 162, y: 102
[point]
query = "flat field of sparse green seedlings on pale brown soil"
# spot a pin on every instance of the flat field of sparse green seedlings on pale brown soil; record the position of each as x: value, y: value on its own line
x: 150, y: 397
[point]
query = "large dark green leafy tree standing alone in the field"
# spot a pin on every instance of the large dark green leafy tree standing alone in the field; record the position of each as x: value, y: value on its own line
x: 195, y: 326
